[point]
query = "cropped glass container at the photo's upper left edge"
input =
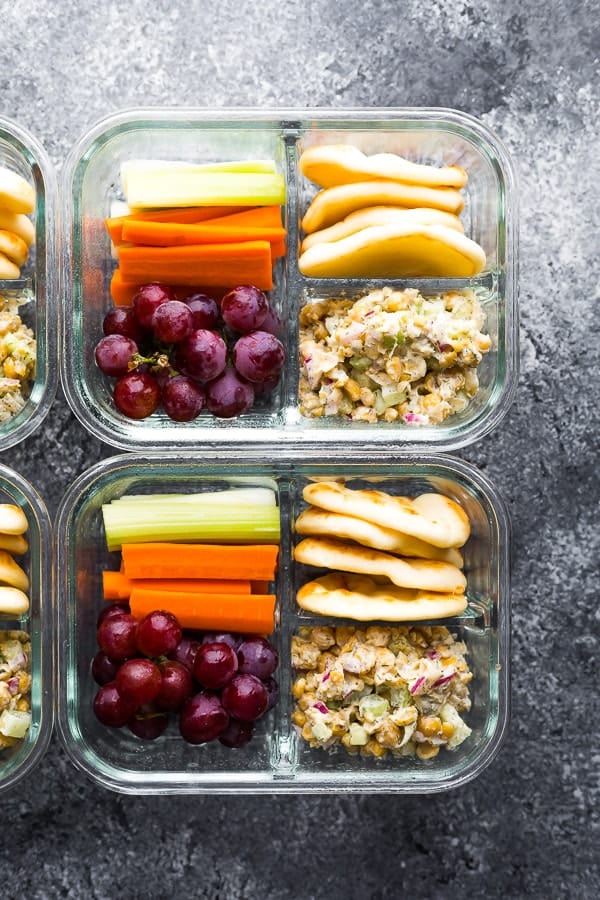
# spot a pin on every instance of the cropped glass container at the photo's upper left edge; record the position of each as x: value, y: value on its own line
x: 31, y: 297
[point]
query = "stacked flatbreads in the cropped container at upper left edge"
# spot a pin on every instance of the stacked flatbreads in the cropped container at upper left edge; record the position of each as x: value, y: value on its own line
x: 17, y: 201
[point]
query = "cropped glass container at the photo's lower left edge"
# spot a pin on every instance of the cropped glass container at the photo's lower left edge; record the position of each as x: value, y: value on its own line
x: 19, y: 756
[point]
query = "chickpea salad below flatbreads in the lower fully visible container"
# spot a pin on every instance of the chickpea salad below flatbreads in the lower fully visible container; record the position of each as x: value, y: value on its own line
x: 384, y: 689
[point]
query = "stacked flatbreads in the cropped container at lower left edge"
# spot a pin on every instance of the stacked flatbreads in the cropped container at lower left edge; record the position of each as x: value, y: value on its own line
x: 14, y: 581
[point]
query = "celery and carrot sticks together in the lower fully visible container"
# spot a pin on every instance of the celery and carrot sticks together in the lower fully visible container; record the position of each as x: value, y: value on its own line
x: 220, y: 584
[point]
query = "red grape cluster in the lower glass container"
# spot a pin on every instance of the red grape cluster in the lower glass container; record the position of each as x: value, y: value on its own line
x: 217, y: 684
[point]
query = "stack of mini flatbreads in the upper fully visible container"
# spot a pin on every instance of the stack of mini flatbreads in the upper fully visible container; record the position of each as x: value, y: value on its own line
x: 383, y: 216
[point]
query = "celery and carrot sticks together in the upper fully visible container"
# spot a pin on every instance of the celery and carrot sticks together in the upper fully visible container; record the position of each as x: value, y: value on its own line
x: 217, y: 225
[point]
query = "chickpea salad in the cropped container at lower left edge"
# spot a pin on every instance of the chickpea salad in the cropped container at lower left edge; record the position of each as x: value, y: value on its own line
x: 15, y: 687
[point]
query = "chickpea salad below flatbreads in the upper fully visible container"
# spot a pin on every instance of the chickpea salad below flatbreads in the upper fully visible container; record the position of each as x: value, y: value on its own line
x: 391, y: 356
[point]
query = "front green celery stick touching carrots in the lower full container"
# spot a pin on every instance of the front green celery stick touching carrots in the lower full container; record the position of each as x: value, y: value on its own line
x: 124, y: 523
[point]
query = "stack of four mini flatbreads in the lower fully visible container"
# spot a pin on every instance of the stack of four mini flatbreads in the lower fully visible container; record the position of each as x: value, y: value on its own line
x: 391, y: 558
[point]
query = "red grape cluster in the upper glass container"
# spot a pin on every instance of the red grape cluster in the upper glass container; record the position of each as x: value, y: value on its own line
x: 191, y: 354
